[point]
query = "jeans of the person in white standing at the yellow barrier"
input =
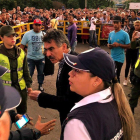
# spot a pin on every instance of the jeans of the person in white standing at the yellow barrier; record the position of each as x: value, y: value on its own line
x: 92, y: 37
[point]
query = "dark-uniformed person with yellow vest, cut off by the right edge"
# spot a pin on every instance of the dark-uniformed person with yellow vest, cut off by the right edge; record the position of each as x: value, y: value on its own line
x: 135, y: 72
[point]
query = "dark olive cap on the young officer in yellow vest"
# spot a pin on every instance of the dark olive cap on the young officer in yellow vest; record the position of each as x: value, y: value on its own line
x: 7, y: 30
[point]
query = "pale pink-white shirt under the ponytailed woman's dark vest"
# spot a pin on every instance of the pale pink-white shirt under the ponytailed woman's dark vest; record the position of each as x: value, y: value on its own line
x: 75, y: 129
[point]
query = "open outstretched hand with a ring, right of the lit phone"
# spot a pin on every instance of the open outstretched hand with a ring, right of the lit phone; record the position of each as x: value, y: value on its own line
x: 44, y: 128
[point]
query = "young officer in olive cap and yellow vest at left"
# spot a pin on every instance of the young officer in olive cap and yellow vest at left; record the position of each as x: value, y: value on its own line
x: 14, y: 59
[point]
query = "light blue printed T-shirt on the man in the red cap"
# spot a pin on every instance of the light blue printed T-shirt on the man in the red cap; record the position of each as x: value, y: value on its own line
x: 35, y: 44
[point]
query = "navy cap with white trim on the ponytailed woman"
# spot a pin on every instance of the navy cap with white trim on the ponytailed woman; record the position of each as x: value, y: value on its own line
x: 97, y: 61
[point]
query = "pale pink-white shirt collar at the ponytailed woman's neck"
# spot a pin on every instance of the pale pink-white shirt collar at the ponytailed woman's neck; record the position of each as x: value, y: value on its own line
x: 96, y: 97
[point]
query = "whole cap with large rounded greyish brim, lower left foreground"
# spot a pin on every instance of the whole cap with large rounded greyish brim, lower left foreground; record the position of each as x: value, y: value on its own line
x: 9, y: 98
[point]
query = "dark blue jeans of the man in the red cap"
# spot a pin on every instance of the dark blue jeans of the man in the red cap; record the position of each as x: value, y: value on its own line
x: 39, y: 64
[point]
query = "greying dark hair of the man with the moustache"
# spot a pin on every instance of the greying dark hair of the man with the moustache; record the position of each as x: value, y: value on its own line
x: 56, y: 35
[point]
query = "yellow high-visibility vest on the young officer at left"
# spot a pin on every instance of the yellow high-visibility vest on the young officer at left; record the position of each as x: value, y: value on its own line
x: 6, y: 78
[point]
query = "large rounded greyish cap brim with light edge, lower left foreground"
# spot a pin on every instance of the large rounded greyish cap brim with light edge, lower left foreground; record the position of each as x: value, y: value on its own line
x: 13, y: 98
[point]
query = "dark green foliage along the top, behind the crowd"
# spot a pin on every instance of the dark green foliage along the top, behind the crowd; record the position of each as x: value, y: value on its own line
x: 9, y: 4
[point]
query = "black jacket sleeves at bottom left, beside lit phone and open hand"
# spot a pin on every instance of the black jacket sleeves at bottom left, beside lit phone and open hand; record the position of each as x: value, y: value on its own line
x: 23, y: 133
